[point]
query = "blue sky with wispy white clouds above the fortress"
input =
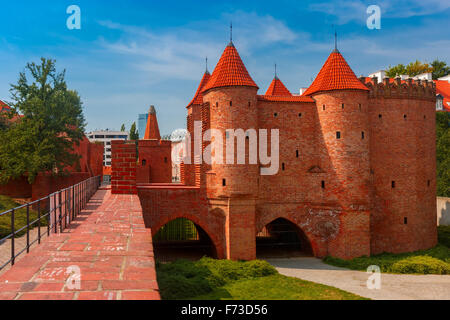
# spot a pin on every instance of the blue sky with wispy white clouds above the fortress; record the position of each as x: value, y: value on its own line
x: 131, y: 54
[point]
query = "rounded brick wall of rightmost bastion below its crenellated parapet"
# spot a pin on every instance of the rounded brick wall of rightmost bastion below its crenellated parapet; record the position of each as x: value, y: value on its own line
x: 403, y: 150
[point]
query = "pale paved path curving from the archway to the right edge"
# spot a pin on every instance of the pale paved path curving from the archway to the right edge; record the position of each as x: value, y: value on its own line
x: 393, y: 286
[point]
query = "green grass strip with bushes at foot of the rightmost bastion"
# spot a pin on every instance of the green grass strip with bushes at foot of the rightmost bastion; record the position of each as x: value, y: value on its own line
x: 431, y: 261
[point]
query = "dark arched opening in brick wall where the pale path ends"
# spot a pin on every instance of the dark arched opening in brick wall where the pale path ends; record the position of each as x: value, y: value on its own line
x: 282, y: 238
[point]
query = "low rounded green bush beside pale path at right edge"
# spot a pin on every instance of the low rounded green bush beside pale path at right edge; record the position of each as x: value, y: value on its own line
x: 421, y: 265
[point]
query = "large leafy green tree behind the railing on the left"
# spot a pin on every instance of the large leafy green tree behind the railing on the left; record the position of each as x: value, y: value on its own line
x: 43, y: 139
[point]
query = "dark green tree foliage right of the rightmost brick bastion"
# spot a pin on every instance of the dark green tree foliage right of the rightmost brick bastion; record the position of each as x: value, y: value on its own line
x: 442, y: 153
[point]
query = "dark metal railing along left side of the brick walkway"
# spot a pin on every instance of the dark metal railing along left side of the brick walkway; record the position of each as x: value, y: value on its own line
x: 54, y: 213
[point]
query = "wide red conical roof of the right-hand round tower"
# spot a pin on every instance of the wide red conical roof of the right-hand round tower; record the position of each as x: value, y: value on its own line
x: 335, y: 74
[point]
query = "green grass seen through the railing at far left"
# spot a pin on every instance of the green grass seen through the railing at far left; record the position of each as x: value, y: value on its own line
x: 20, y: 216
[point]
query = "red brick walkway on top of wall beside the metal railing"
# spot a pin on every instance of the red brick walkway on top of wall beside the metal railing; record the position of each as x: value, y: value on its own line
x: 107, y: 242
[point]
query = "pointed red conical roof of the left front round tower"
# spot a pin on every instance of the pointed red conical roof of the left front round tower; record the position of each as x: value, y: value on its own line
x: 230, y: 71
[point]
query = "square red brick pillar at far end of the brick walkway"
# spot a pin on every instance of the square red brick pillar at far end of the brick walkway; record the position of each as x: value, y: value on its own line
x: 123, y: 164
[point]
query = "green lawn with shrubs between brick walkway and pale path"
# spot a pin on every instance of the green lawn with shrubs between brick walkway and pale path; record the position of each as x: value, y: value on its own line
x: 210, y: 279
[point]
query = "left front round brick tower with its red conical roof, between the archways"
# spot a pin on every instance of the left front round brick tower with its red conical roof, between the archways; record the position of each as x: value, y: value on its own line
x: 231, y: 95
